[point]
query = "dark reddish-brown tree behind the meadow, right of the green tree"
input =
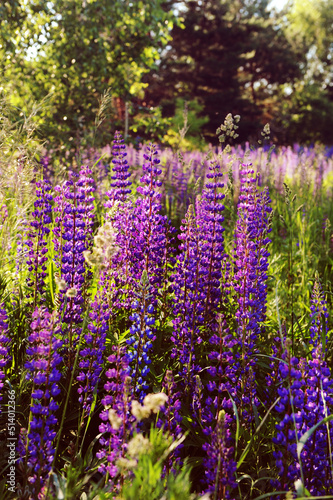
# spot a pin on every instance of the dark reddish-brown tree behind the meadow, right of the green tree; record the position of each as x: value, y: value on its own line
x: 232, y: 55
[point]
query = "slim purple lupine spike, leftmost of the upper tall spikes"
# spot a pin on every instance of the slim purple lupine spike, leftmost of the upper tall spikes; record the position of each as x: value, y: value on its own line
x: 37, y: 240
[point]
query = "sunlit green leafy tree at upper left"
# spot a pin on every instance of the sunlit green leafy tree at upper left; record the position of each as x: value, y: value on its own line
x: 75, y: 50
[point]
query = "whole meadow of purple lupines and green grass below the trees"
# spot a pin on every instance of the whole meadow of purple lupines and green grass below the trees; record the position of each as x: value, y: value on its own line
x: 166, y: 321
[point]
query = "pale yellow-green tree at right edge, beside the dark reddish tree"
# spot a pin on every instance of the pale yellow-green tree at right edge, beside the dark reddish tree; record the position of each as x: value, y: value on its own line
x: 306, y: 109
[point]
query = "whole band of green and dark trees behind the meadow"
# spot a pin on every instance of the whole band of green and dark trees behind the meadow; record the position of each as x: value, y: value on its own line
x: 152, y: 59
